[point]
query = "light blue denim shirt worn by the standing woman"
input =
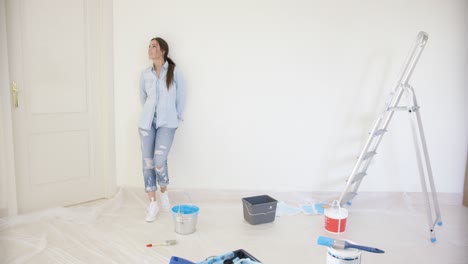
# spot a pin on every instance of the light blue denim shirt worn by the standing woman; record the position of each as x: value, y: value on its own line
x: 154, y: 96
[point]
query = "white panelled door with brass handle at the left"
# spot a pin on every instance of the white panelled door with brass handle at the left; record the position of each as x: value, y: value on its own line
x: 54, y: 59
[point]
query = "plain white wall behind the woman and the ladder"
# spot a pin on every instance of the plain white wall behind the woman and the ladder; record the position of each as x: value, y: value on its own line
x: 281, y: 94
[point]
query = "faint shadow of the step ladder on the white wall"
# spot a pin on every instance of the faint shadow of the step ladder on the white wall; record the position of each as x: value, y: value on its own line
x: 355, y: 124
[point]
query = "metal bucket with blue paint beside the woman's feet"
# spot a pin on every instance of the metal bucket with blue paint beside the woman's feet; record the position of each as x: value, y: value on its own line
x: 185, y: 218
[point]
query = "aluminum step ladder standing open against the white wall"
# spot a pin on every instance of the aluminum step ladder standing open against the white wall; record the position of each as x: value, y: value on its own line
x: 378, y: 131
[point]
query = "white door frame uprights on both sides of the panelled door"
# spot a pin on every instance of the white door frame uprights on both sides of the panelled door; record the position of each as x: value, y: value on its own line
x: 102, y: 123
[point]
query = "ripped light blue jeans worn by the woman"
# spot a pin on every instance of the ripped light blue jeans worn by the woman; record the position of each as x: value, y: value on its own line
x: 155, y: 147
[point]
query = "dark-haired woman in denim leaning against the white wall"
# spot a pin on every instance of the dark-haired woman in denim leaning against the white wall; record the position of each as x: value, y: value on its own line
x: 162, y: 95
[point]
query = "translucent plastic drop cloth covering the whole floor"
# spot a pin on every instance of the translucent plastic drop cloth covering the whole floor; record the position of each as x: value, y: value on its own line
x: 114, y: 231
